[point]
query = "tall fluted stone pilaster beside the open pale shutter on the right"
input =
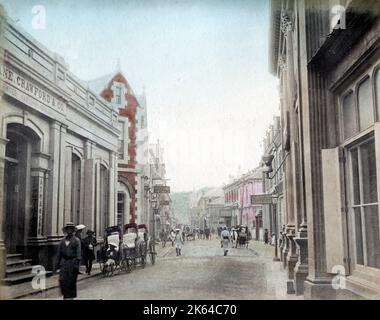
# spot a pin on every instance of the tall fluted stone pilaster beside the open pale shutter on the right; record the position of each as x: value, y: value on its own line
x: 318, y: 281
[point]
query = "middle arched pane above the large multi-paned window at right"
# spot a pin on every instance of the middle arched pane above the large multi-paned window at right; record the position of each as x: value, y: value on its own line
x: 365, y: 104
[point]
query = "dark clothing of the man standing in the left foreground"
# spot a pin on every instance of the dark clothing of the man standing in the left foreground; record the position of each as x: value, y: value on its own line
x: 68, y: 261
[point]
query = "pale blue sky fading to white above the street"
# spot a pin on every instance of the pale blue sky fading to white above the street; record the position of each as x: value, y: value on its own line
x: 204, y: 65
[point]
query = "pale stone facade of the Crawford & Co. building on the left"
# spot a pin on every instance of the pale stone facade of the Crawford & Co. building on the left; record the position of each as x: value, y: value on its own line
x: 58, y: 150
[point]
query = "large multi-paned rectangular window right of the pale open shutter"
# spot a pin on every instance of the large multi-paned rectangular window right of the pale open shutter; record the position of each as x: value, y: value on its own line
x: 364, y: 203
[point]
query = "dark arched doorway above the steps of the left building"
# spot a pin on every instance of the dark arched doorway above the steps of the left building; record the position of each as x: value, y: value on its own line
x: 19, y: 220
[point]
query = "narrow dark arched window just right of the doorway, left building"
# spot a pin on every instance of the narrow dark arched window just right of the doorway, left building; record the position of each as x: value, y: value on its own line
x: 75, y: 188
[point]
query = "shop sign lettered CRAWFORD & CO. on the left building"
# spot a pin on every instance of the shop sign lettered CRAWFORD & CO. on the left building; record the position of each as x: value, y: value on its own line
x: 19, y: 82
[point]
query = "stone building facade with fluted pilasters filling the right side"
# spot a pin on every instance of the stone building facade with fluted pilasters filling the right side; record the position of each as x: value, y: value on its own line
x: 327, y: 57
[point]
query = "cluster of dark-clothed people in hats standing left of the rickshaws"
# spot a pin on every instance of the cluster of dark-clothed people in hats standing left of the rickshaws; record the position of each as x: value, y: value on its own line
x: 71, y: 250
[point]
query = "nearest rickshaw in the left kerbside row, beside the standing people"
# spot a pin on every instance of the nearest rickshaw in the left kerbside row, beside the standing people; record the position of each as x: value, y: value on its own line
x: 109, y: 256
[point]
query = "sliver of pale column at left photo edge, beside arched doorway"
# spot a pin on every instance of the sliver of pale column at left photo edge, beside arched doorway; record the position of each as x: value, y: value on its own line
x: 3, y: 143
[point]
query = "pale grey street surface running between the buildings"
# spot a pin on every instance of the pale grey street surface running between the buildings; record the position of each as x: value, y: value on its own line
x: 201, y: 272
